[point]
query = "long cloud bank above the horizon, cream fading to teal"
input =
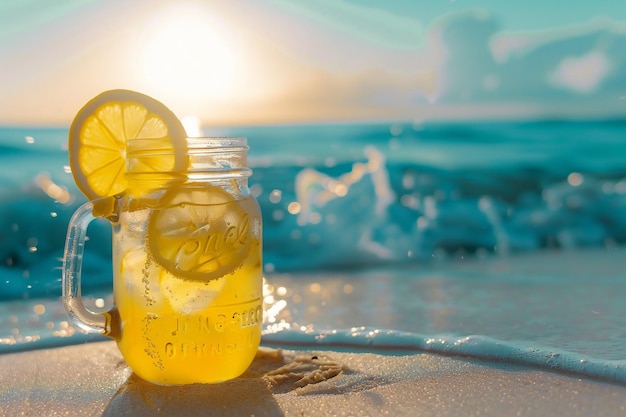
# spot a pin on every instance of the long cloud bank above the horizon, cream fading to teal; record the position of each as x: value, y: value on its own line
x: 468, y: 68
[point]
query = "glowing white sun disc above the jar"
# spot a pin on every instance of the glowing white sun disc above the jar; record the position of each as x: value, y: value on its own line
x: 187, y: 52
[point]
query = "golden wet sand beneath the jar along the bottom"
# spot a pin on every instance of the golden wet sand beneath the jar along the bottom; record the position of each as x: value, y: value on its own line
x: 93, y: 380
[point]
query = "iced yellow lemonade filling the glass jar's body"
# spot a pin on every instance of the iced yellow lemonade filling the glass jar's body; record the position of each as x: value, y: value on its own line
x: 189, y: 322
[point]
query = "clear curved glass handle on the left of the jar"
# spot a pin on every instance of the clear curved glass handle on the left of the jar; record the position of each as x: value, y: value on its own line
x: 81, y: 316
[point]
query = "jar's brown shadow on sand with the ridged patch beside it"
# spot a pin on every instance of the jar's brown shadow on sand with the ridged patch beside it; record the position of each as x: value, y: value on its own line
x: 253, y: 393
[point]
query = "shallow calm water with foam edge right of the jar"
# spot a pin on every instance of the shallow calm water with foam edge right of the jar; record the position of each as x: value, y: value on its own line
x: 562, y: 310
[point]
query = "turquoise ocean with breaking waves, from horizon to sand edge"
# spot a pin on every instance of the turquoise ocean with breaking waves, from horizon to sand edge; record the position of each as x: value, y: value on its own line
x: 497, y: 240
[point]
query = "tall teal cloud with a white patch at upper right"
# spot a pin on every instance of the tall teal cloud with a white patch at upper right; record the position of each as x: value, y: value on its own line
x: 585, y: 63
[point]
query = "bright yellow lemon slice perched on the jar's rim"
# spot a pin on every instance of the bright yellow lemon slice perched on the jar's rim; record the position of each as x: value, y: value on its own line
x: 120, y: 131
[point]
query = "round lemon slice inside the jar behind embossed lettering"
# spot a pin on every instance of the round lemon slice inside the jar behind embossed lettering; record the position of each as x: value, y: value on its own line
x: 200, y: 234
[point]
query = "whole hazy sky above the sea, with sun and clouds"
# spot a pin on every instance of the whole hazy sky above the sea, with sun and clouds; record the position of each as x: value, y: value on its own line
x: 281, y: 61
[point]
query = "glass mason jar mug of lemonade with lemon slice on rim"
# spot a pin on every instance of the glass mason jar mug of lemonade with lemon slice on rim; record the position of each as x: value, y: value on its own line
x: 186, y: 240
